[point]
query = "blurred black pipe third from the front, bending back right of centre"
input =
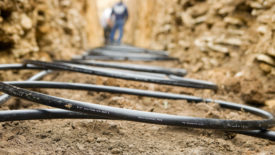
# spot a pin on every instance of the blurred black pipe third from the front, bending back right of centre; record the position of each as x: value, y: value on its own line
x: 138, y: 76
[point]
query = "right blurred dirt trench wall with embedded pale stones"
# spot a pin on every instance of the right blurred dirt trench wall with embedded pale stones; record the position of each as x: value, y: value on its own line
x: 218, y: 32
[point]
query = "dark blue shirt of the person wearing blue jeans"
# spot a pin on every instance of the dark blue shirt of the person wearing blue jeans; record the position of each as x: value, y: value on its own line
x: 120, y: 12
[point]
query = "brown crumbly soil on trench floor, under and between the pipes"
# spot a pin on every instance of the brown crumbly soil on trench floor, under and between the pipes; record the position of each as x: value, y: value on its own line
x: 123, y: 137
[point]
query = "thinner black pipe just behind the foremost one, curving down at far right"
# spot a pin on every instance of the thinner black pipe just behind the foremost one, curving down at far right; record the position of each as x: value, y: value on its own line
x: 138, y: 92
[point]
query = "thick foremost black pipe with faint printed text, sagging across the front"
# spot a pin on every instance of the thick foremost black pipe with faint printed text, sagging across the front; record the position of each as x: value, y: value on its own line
x: 134, y: 115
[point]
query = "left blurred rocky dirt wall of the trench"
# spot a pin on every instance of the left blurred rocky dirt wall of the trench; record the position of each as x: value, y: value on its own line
x: 51, y: 29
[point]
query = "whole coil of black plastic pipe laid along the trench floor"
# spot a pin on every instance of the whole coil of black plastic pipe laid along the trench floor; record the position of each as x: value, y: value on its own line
x: 71, y: 109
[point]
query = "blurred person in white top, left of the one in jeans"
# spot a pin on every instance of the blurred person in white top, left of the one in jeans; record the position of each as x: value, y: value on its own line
x: 106, y: 23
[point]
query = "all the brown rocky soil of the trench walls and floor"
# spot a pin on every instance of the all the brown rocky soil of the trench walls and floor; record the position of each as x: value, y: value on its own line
x: 227, y: 42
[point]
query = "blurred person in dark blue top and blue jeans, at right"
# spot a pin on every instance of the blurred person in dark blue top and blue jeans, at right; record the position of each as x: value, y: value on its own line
x: 120, y: 16
